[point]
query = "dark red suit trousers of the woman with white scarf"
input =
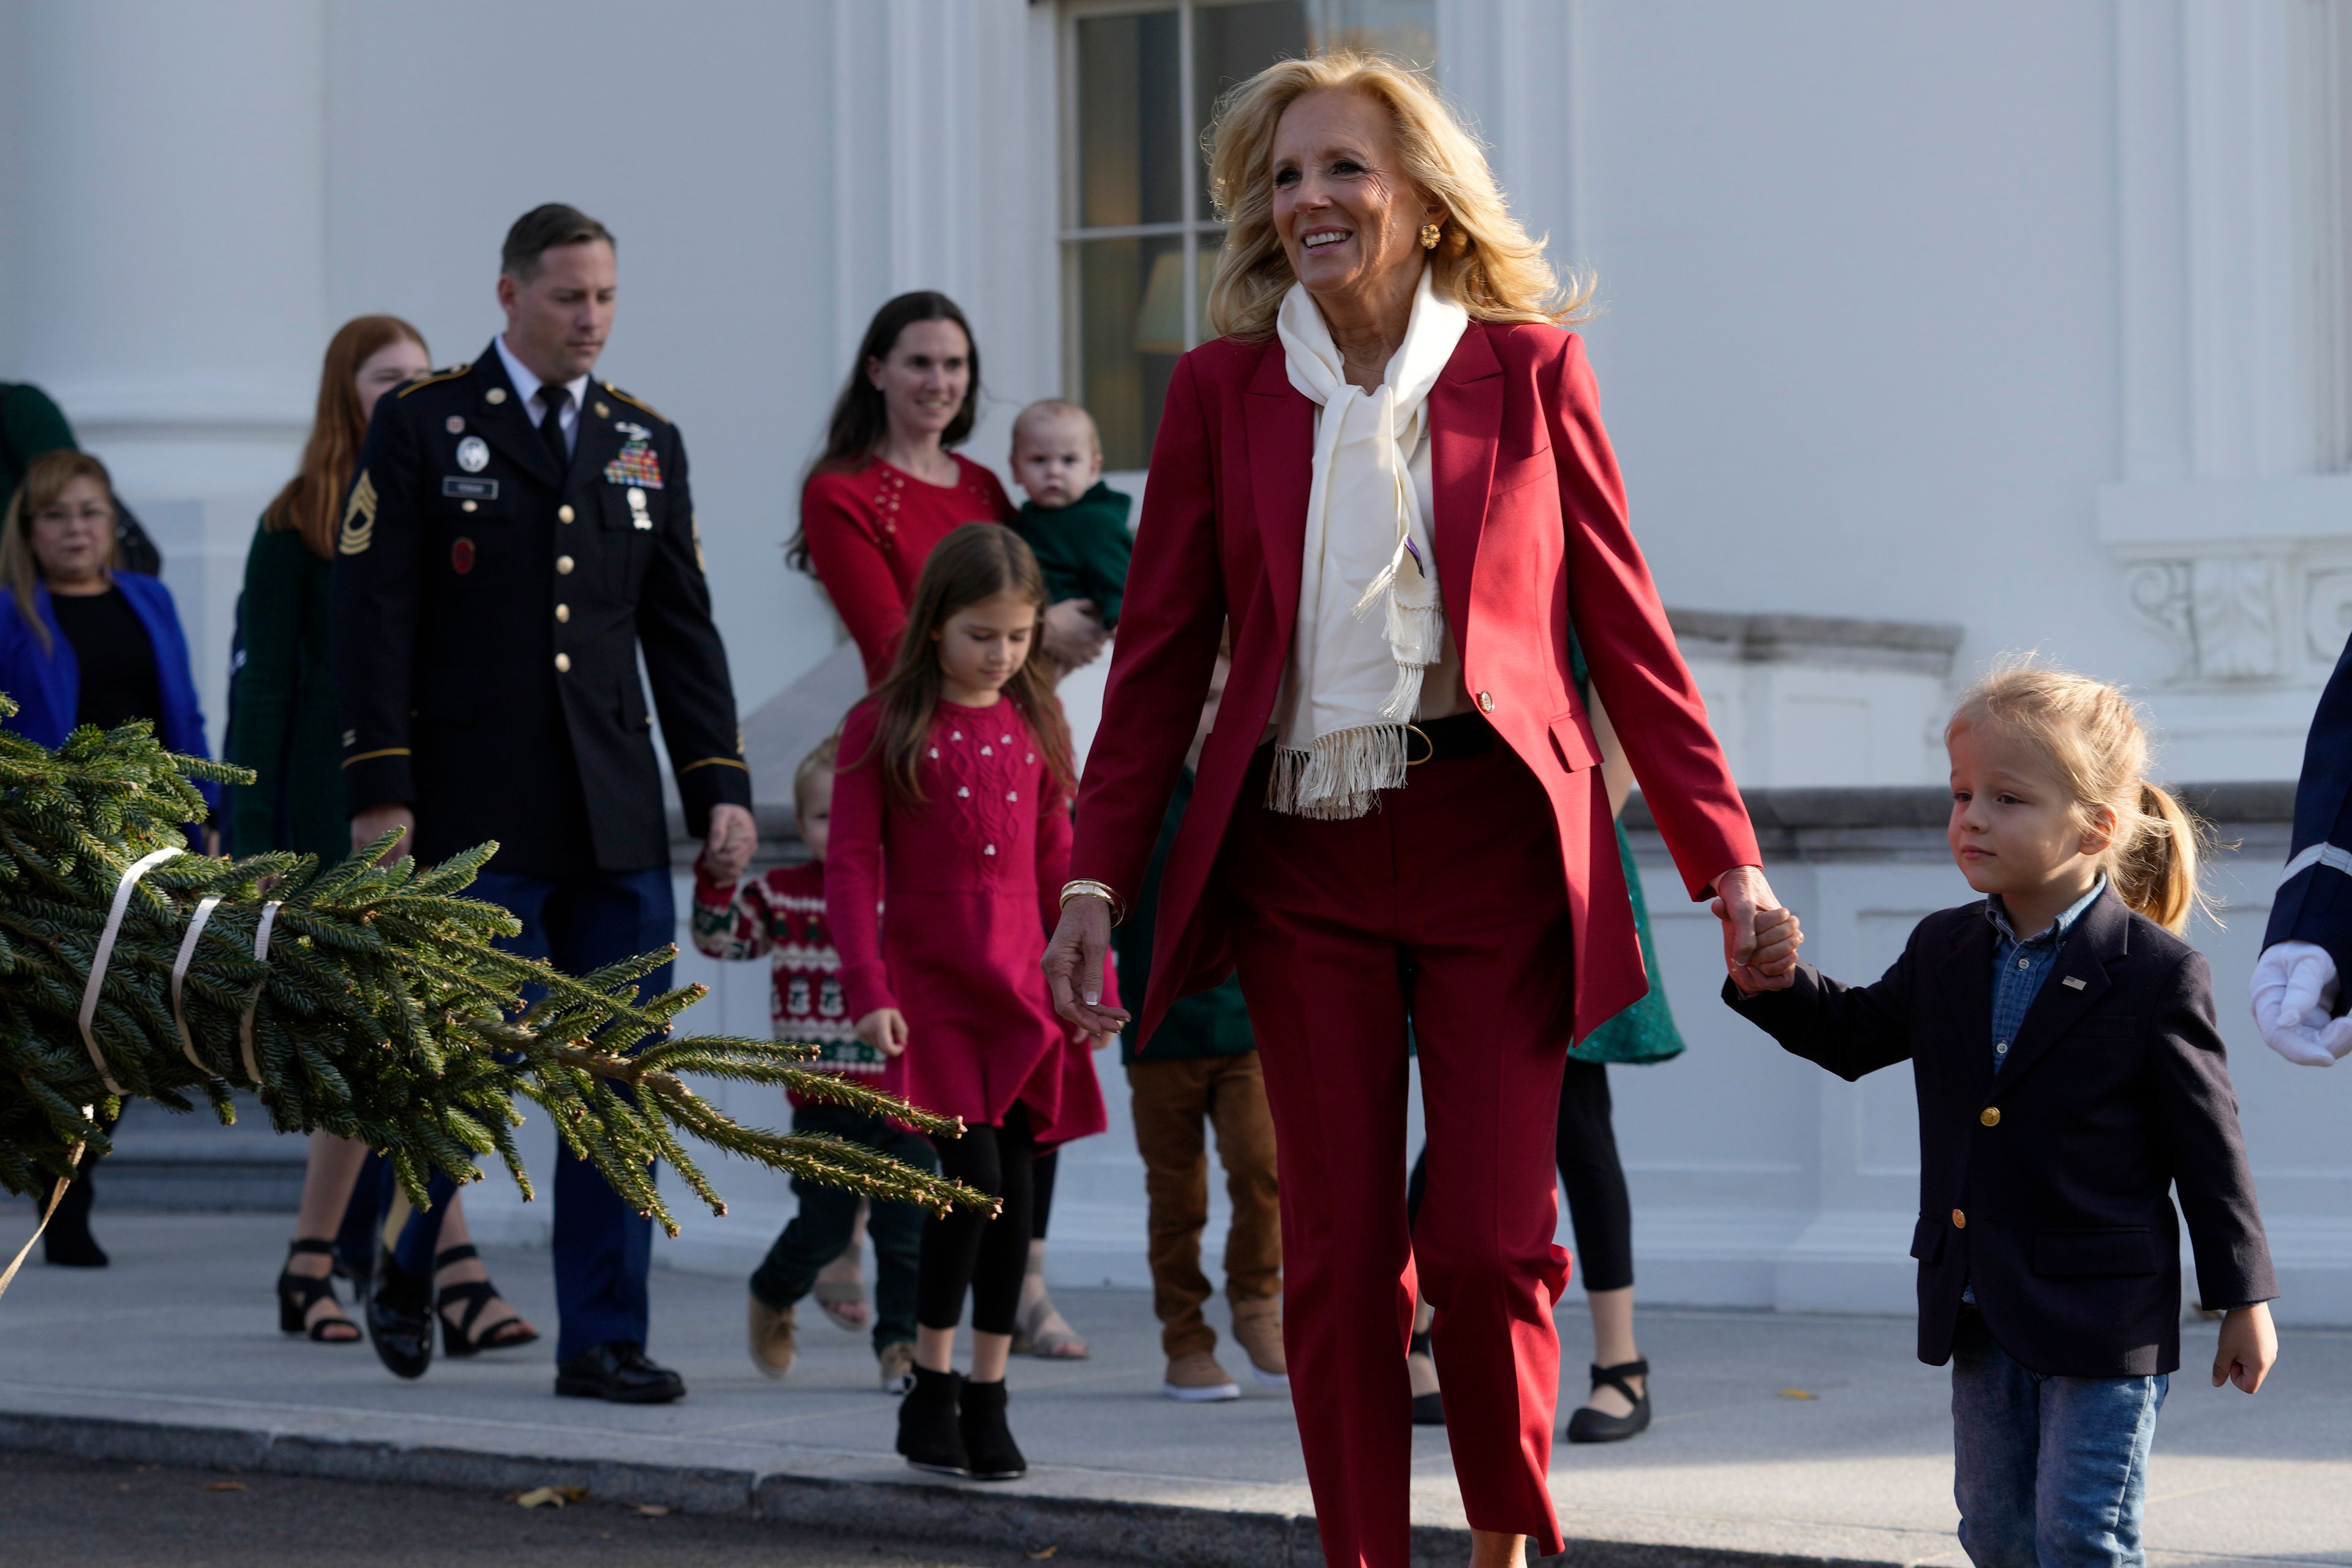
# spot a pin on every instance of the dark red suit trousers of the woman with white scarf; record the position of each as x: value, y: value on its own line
x: 1443, y: 911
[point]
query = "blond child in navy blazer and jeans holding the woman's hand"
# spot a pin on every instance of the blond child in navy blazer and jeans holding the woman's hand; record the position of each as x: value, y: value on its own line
x: 2071, y: 1080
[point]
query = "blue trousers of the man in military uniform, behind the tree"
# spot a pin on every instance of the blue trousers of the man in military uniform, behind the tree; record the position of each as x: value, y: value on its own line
x: 603, y: 1247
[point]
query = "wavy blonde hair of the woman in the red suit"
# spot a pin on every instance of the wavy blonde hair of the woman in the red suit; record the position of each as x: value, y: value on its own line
x: 1483, y: 257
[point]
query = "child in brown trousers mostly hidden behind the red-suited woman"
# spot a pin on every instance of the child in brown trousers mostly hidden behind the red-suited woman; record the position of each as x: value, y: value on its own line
x: 1203, y: 1071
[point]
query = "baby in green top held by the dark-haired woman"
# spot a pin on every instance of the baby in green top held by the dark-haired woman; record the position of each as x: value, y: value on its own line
x: 1071, y: 521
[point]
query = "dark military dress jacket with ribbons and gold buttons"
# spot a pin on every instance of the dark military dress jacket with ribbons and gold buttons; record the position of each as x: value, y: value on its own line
x: 488, y: 619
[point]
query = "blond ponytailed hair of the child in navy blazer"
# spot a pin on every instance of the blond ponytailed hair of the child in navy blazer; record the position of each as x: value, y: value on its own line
x: 2097, y: 749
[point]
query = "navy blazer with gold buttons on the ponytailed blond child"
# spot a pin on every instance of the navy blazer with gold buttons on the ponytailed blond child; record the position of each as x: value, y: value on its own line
x: 2047, y: 1188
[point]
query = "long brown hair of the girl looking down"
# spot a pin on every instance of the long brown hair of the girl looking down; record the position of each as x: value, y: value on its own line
x: 970, y: 565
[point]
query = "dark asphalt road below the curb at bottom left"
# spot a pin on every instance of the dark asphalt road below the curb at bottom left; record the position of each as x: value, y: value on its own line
x: 72, y: 1515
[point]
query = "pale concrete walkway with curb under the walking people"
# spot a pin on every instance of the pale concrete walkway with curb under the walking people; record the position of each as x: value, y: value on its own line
x: 1779, y: 1438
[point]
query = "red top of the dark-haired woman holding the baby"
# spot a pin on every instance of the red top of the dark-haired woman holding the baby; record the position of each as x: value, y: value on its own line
x: 871, y: 530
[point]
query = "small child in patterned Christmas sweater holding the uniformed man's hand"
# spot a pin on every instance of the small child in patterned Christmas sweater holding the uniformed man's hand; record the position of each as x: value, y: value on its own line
x: 782, y: 916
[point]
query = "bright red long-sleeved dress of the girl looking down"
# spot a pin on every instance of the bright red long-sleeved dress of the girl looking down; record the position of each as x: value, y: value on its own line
x: 975, y: 876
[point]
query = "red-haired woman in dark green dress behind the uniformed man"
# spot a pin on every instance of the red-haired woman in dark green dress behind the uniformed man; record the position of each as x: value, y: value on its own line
x: 286, y: 728
